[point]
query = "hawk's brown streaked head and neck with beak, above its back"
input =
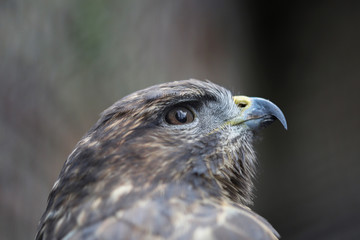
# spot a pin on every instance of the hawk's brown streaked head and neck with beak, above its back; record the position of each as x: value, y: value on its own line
x: 190, y: 139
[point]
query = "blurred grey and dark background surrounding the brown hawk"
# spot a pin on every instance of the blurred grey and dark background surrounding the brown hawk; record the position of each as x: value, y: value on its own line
x: 63, y: 62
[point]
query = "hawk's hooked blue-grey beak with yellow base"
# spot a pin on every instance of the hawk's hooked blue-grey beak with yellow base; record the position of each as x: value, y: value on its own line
x: 257, y: 113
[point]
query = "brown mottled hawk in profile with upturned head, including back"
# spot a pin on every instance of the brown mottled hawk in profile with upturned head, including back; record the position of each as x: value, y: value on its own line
x: 173, y: 161
